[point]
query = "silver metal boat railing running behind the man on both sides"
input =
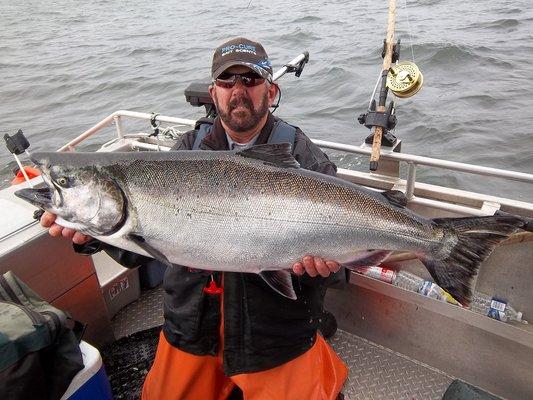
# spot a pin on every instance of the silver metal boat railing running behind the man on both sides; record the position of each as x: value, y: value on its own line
x: 455, y: 201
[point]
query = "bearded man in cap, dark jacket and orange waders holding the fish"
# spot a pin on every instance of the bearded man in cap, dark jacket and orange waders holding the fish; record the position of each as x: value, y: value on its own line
x: 224, y: 330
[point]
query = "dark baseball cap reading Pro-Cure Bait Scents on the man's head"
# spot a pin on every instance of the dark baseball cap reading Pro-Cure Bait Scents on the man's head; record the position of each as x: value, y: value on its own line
x: 241, y: 51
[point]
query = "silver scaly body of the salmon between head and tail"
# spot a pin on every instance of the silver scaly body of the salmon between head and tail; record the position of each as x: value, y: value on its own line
x: 233, y: 213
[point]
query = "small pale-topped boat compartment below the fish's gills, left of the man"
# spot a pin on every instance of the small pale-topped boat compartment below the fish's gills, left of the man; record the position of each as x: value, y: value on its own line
x: 120, y: 286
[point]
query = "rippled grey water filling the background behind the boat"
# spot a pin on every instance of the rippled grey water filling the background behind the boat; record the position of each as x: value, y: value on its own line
x: 65, y: 65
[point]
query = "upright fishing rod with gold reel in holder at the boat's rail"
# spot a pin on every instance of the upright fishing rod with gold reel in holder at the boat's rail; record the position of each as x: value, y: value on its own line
x: 403, y: 79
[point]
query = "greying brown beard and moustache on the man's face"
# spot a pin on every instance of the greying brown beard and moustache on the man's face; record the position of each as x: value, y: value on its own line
x: 245, y: 119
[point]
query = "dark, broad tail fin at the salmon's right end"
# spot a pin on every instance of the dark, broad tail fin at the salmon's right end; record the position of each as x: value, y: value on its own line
x: 476, y: 239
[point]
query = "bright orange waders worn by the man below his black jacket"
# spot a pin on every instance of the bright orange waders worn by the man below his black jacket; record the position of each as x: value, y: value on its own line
x: 318, y: 374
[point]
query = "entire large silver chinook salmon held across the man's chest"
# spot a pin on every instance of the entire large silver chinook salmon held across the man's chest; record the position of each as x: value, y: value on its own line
x: 253, y: 211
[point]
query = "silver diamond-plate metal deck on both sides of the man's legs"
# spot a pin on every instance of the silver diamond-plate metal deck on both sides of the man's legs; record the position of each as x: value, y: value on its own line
x: 376, y: 373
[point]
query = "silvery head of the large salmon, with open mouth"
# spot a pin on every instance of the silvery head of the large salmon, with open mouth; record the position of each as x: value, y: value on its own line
x: 84, y: 197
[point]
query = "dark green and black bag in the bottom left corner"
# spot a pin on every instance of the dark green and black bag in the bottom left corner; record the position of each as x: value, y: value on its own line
x: 39, y: 352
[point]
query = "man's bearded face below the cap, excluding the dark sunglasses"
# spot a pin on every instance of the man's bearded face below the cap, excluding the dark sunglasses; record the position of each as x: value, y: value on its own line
x: 242, y: 108
